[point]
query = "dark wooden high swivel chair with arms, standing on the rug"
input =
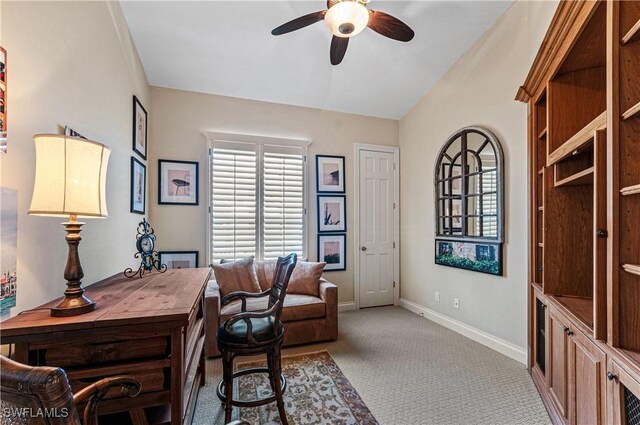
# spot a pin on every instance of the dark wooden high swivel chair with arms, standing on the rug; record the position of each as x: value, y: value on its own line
x: 251, y: 333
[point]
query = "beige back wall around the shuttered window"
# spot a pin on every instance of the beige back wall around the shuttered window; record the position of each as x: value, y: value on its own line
x: 178, y: 119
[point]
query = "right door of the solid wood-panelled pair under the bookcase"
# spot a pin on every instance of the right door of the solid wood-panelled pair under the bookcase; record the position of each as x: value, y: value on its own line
x: 587, y: 377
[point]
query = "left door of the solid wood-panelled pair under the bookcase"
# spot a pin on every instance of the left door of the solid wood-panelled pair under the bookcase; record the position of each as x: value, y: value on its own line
x: 558, y: 362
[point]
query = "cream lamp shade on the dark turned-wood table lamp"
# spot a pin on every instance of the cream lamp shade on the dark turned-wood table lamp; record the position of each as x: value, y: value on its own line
x: 71, y: 177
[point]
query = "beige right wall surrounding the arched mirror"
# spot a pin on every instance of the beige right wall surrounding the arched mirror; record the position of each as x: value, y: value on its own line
x: 478, y: 90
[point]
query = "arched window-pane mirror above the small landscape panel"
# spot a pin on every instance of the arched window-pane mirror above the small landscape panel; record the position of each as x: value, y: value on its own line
x: 469, y: 187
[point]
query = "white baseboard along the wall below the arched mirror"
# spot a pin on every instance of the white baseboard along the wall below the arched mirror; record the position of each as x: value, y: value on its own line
x: 495, y: 343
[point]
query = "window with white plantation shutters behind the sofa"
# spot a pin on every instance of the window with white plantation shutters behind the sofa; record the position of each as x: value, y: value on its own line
x: 257, y: 201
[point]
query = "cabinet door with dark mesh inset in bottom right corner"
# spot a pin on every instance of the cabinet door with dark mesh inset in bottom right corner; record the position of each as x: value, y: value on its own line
x: 620, y: 387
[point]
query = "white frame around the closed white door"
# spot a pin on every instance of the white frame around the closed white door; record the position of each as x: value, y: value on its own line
x: 395, y: 150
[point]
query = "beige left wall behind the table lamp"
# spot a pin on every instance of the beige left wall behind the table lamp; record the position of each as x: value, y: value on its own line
x: 71, y: 63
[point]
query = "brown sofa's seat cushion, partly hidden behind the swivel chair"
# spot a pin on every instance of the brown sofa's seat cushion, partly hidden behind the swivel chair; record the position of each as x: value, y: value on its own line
x: 296, y: 307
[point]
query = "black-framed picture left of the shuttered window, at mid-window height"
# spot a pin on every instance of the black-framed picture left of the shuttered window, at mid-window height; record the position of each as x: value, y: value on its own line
x: 164, y: 197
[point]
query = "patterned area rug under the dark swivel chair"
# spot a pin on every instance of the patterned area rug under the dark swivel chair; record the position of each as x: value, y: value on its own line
x: 317, y: 393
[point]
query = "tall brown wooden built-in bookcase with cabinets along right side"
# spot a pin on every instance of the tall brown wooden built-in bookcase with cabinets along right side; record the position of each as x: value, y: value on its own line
x: 583, y: 93
